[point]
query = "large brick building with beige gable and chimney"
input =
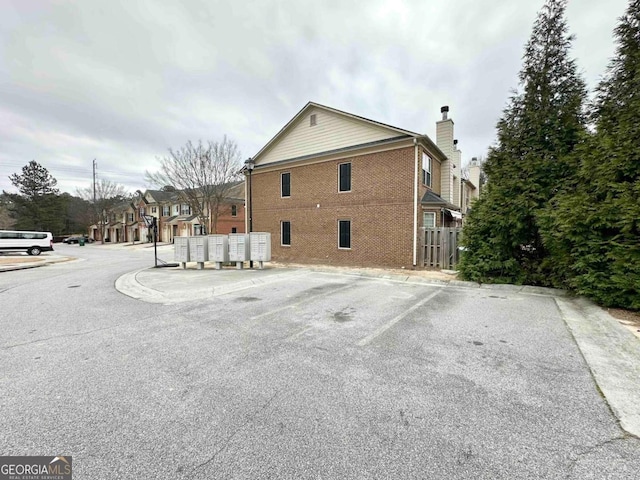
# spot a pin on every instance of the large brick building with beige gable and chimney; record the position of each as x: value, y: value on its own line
x: 336, y: 188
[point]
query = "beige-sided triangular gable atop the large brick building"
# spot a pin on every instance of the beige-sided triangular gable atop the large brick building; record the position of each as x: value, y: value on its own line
x: 354, y: 131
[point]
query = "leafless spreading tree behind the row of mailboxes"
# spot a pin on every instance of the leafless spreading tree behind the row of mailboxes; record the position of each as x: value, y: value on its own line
x: 202, y: 176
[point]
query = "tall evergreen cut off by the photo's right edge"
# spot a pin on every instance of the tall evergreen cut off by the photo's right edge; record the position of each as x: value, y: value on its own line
x: 595, y: 230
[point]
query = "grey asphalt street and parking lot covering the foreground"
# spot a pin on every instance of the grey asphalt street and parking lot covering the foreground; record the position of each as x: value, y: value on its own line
x: 294, y: 373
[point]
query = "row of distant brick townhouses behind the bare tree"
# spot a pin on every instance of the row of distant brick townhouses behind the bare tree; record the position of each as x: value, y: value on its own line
x: 173, y: 217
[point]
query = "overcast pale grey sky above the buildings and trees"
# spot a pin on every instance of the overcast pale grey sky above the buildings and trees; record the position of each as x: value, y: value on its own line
x: 122, y: 81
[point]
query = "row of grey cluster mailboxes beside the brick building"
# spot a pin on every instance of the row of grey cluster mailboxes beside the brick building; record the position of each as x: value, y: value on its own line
x: 235, y: 247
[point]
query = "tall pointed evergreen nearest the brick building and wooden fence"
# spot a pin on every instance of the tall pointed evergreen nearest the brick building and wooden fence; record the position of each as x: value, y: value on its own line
x: 540, y: 127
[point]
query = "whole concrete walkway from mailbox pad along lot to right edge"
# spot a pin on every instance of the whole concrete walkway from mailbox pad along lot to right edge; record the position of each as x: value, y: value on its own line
x: 611, y: 351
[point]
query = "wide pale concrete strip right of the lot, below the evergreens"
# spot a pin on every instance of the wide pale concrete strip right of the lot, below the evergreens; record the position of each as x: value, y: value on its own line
x: 613, y: 355
